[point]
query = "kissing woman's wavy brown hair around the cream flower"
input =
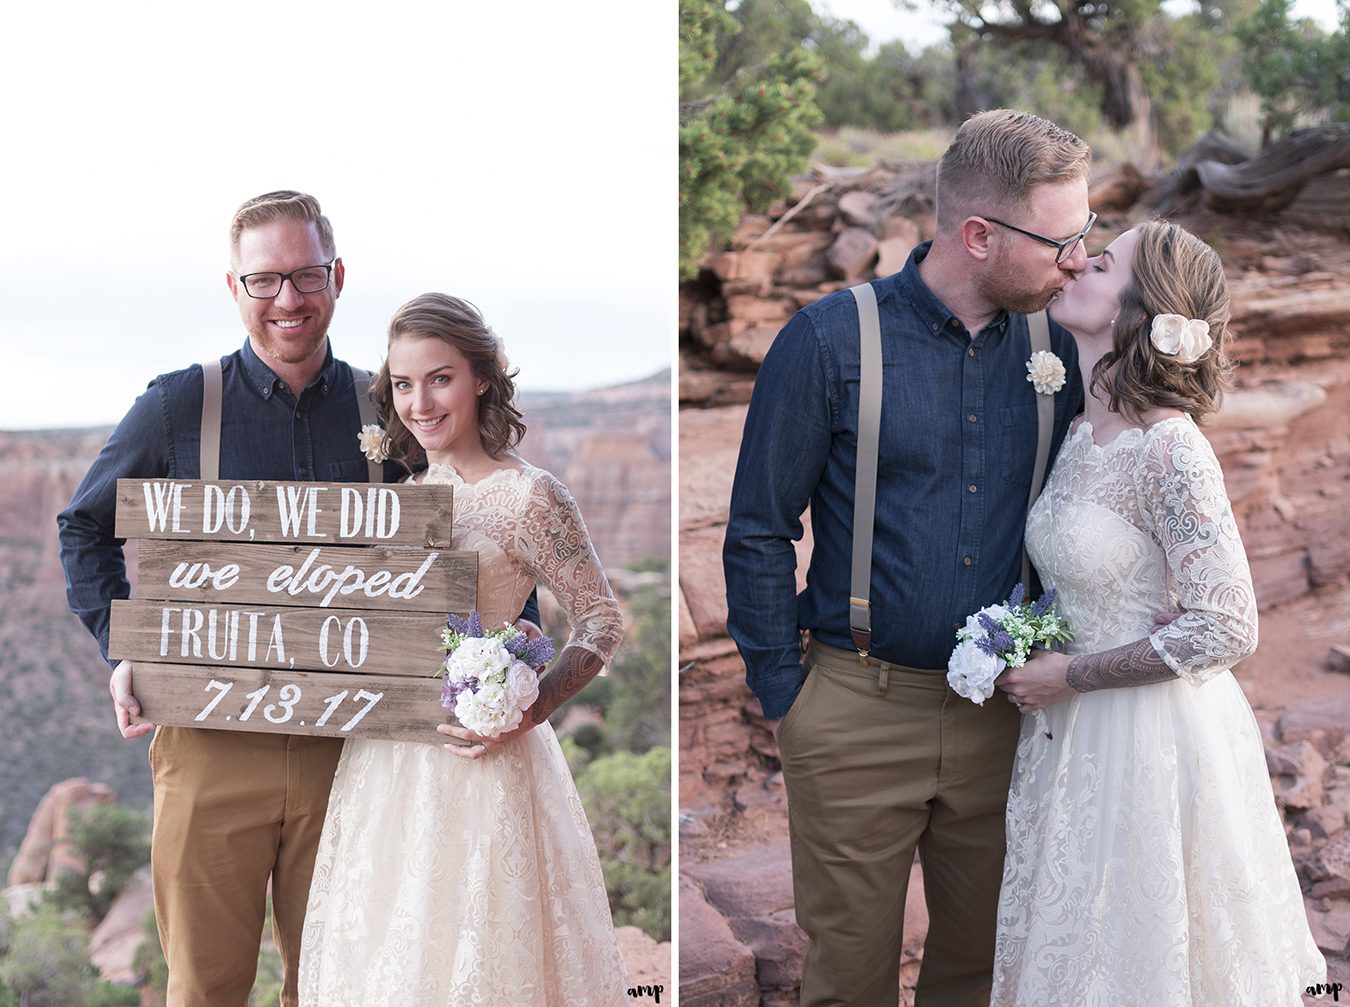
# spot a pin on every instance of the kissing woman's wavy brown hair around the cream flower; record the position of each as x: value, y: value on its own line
x: 1174, y: 273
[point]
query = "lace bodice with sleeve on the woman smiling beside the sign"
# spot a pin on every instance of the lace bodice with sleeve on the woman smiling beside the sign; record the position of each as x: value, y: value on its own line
x: 526, y: 528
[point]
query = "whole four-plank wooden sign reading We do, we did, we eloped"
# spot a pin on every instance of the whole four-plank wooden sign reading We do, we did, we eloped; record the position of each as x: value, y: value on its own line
x: 291, y: 608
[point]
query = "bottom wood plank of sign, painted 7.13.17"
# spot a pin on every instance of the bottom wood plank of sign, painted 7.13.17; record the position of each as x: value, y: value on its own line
x: 291, y: 703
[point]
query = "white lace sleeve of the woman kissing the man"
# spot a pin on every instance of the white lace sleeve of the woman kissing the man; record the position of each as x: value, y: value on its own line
x: 1187, y: 511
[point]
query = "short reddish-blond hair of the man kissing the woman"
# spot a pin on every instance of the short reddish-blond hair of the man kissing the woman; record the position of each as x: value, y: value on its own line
x: 998, y: 157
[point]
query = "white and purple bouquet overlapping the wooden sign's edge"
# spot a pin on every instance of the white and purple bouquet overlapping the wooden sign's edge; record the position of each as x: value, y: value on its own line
x: 492, y: 677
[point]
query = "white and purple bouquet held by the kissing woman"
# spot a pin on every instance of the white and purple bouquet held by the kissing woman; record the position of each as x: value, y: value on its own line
x: 1002, y: 636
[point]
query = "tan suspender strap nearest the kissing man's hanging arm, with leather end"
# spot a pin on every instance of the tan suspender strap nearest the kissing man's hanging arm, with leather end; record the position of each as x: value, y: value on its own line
x: 865, y: 484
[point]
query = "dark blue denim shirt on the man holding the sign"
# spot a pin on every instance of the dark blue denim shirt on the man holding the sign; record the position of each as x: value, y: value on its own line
x: 267, y: 433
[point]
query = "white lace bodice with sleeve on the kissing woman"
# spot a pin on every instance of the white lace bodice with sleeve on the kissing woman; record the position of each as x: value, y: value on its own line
x: 1143, y: 526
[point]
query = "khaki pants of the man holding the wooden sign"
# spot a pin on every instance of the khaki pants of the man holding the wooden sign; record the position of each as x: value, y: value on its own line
x: 234, y: 811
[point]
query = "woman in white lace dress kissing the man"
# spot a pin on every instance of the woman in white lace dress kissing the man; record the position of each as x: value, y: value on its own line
x: 1147, y: 863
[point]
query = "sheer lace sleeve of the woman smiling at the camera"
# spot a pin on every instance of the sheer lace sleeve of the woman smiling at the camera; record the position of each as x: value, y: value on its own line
x: 554, y: 545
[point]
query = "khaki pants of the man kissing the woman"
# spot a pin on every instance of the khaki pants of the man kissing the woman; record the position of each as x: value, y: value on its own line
x: 880, y: 763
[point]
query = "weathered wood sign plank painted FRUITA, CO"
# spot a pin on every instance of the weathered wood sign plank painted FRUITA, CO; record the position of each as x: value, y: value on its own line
x: 341, y: 641
